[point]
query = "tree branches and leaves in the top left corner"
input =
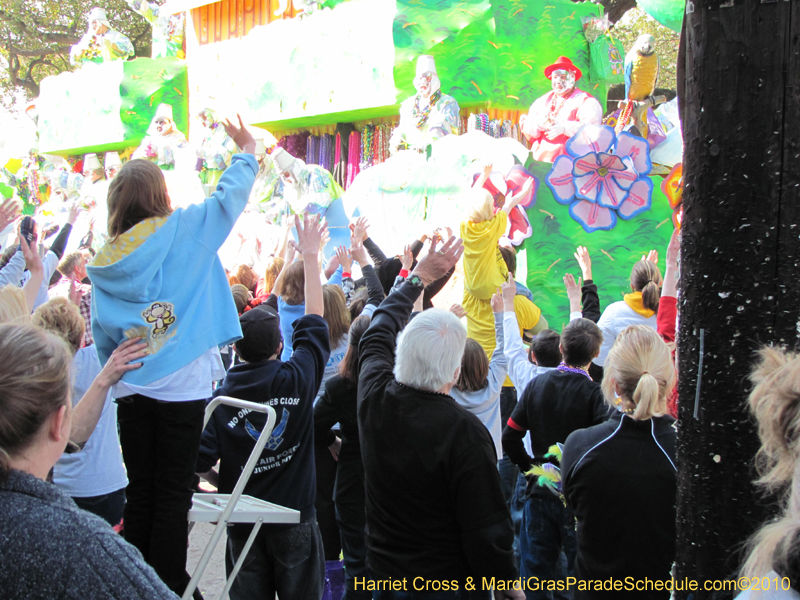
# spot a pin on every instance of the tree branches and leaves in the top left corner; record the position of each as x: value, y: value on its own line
x: 37, y: 37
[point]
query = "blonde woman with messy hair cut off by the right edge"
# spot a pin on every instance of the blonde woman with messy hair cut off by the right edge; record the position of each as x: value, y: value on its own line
x: 774, y: 551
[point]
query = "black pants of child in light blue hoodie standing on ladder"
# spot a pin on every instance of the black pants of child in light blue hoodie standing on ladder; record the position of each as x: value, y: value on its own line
x: 160, y: 441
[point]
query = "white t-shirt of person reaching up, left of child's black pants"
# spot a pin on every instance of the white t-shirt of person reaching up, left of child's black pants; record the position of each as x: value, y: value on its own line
x: 98, y: 468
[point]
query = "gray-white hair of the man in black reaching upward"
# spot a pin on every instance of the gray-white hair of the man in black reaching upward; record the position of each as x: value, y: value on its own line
x: 429, y: 350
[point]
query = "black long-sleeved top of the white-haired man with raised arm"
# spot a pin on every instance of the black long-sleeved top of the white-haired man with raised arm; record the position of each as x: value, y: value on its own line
x: 434, y: 505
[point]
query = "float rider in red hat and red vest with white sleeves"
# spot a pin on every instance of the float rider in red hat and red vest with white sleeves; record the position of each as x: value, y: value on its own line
x: 557, y: 116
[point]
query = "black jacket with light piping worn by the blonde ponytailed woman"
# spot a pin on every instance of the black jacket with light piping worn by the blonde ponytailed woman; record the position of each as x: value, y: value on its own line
x: 619, y: 479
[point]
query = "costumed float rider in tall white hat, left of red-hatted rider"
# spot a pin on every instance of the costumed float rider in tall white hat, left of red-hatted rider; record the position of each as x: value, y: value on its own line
x: 427, y: 116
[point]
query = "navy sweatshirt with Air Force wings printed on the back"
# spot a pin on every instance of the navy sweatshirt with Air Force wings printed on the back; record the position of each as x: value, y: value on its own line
x: 285, y: 474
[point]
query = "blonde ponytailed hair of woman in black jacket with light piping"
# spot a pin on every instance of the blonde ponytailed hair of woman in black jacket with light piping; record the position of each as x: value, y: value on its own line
x: 639, y: 365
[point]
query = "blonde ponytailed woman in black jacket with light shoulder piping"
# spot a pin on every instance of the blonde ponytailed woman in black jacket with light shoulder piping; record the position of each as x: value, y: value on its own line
x: 622, y: 472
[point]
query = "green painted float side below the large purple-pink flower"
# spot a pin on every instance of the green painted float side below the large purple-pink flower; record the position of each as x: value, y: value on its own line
x: 556, y: 235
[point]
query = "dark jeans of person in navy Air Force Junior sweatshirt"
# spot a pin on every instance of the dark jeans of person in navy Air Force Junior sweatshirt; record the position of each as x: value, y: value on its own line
x: 288, y: 561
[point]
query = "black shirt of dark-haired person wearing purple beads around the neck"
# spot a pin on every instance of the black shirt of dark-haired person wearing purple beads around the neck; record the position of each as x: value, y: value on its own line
x: 553, y: 405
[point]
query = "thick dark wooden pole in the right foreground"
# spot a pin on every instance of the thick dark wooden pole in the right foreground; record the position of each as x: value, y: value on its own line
x: 740, y: 278
